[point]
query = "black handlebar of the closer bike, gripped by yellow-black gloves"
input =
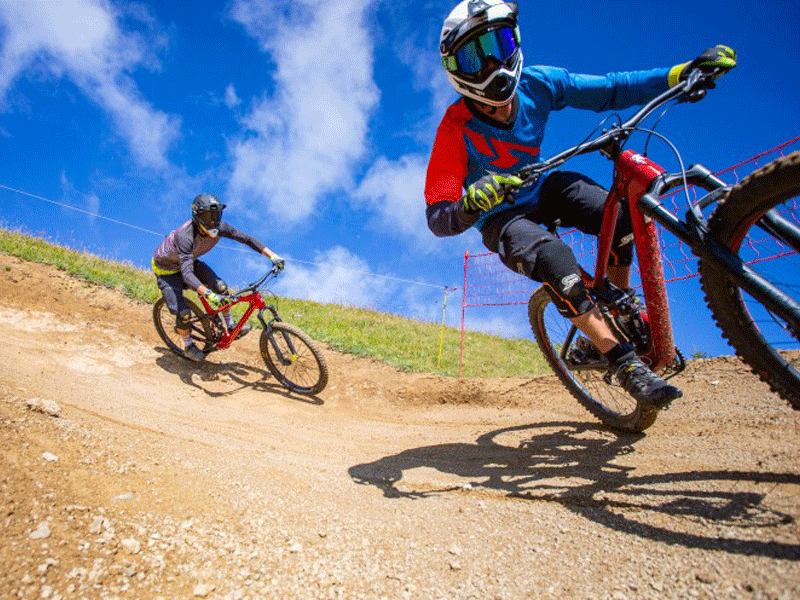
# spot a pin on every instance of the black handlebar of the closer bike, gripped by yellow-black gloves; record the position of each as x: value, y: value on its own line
x: 692, y: 89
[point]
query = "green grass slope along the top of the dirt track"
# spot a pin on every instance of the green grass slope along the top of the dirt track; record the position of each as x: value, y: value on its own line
x: 401, y: 342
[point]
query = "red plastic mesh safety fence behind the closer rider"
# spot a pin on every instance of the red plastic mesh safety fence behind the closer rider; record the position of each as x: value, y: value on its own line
x: 487, y: 282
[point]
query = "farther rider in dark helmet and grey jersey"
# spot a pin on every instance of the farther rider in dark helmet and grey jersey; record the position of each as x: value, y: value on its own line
x: 176, y: 266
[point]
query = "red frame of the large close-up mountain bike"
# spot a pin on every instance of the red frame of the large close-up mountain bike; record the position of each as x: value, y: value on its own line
x: 632, y: 177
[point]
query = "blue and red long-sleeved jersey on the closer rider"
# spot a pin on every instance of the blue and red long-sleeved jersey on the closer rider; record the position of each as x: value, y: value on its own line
x: 469, y: 144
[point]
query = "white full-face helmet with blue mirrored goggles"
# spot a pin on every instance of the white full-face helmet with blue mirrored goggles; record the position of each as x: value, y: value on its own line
x: 480, y: 50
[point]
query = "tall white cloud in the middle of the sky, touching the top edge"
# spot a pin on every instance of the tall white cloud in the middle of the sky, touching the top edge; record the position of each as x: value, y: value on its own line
x: 304, y: 139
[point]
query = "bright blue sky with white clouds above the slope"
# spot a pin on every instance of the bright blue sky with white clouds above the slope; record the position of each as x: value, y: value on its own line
x: 313, y: 121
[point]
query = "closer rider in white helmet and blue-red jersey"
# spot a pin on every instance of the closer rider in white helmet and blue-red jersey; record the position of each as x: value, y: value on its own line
x: 496, y: 128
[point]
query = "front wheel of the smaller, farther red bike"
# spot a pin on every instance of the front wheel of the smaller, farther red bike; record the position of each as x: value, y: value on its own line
x: 293, y: 358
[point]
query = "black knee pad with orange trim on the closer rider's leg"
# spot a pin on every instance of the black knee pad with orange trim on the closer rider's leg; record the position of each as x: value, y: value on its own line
x: 558, y: 270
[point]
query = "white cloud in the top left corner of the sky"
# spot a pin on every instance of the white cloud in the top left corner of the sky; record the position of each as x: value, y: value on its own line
x: 82, y: 40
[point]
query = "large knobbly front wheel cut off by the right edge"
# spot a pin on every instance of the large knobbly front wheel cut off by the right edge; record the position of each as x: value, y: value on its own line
x: 759, y: 220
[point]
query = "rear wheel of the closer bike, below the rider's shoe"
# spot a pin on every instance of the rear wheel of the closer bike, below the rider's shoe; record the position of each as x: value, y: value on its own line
x: 583, y: 370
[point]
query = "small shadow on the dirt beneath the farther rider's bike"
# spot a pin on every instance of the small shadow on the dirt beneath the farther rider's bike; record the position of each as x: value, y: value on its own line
x: 234, y: 377
